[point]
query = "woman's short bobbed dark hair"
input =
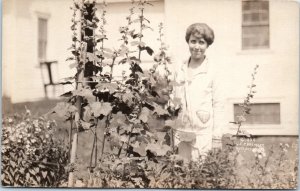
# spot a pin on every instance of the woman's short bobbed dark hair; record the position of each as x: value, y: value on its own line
x: 200, y: 30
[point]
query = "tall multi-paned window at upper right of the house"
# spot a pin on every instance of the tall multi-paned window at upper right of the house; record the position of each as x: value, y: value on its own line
x: 255, y: 24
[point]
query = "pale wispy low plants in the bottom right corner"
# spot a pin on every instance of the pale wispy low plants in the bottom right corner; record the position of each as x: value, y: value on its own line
x: 270, y: 170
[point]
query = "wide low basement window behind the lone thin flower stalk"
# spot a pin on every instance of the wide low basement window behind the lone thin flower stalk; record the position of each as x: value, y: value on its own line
x: 261, y: 113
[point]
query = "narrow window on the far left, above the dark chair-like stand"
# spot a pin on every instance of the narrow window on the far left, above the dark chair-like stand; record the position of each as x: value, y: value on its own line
x: 42, y: 38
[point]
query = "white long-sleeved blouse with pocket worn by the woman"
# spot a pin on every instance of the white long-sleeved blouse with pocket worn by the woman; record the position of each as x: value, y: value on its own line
x: 202, y: 99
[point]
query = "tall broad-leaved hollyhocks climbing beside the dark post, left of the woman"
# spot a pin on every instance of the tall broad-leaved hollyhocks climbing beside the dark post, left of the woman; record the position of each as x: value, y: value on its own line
x: 124, y: 105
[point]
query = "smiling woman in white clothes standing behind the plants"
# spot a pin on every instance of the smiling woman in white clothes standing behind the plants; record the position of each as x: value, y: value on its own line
x: 201, y: 97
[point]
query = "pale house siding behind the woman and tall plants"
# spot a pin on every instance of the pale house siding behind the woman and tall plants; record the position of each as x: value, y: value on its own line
x: 277, y: 78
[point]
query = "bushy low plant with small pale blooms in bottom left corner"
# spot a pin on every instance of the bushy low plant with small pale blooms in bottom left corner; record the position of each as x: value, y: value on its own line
x: 31, y: 155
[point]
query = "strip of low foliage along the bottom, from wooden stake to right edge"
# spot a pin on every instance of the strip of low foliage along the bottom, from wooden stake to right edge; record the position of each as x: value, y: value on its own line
x: 220, y: 169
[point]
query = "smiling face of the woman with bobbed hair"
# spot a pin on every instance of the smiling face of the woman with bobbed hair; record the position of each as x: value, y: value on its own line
x: 197, y: 46
